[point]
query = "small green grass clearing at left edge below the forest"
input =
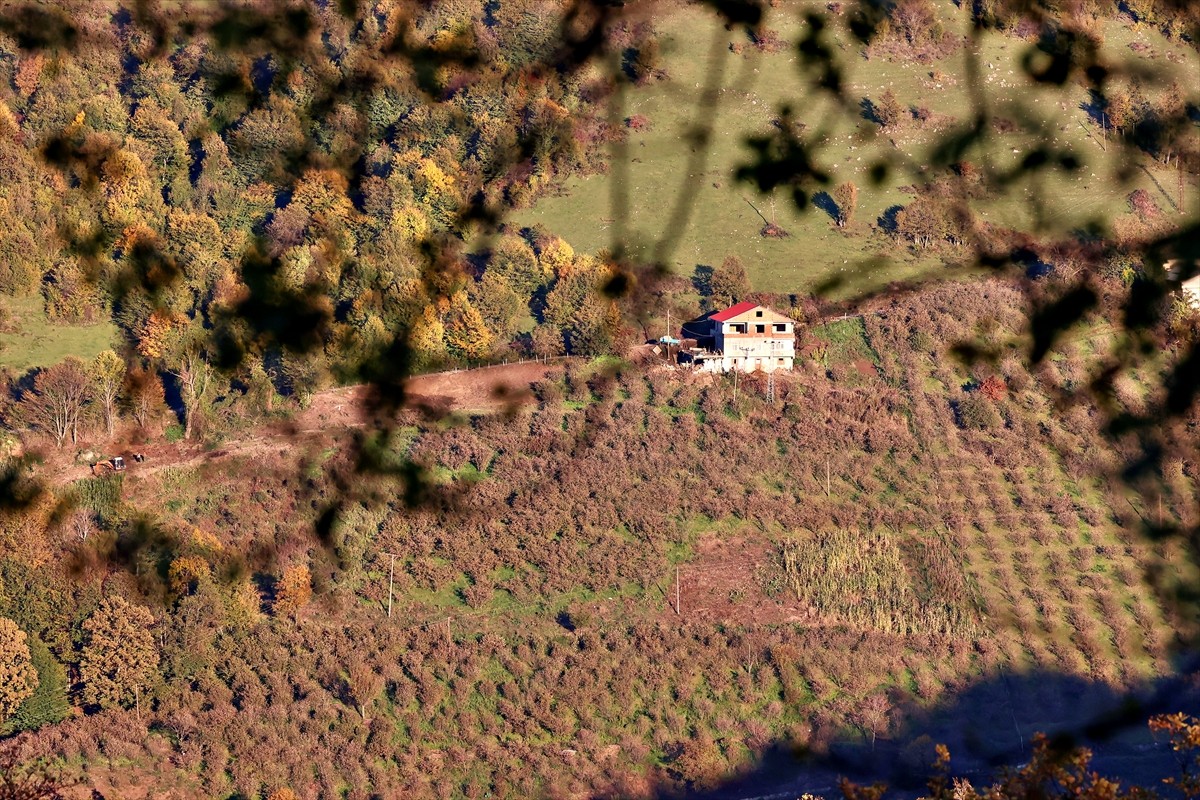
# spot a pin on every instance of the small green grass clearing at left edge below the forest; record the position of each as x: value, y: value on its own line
x: 38, y: 342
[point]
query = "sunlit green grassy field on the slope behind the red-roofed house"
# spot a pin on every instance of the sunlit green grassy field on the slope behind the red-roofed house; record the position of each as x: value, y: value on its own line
x: 656, y: 167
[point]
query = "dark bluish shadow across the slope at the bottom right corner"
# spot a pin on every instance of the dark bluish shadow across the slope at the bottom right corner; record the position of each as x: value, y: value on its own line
x: 988, y: 727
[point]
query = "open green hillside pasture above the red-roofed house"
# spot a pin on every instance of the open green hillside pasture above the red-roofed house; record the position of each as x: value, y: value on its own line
x: 734, y: 88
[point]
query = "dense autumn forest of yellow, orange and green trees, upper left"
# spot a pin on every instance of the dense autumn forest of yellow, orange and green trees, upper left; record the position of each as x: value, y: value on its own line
x: 293, y: 167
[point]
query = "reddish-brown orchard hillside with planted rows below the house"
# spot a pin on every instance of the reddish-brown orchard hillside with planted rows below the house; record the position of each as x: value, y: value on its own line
x: 533, y: 645
